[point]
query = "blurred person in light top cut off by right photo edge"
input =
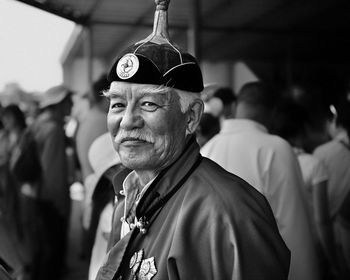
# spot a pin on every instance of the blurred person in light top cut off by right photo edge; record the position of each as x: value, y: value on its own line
x: 336, y: 156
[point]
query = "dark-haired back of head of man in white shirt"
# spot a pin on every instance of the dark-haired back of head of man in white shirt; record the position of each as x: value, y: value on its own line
x: 256, y: 101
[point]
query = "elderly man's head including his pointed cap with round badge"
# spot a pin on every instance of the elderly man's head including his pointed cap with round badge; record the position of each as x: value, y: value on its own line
x: 155, y: 99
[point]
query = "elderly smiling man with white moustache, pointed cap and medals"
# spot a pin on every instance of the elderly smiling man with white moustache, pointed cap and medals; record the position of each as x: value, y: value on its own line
x: 183, y: 216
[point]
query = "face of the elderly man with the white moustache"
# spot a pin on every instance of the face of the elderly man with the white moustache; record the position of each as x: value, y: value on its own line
x: 148, y: 128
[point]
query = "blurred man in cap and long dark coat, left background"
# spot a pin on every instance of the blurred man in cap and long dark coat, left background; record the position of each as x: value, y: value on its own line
x: 53, y: 192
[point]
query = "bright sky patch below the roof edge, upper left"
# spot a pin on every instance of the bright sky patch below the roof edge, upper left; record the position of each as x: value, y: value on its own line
x: 31, y: 43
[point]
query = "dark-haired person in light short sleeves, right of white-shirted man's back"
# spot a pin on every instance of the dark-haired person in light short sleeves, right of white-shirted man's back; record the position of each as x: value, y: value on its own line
x: 290, y: 121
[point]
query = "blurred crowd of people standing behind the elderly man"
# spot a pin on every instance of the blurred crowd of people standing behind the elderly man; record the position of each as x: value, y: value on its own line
x: 286, y: 142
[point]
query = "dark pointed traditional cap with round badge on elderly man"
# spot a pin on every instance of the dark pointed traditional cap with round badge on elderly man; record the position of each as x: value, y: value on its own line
x: 156, y: 60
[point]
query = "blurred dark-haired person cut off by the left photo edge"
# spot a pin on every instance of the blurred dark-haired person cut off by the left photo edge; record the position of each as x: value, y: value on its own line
x: 12, y: 233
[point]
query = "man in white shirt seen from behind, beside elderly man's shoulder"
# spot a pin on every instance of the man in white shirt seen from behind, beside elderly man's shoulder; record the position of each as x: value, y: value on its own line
x: 244, y: 147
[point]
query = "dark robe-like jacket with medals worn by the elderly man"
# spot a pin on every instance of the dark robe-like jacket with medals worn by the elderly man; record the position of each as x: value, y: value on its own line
x: 211, y: 225
